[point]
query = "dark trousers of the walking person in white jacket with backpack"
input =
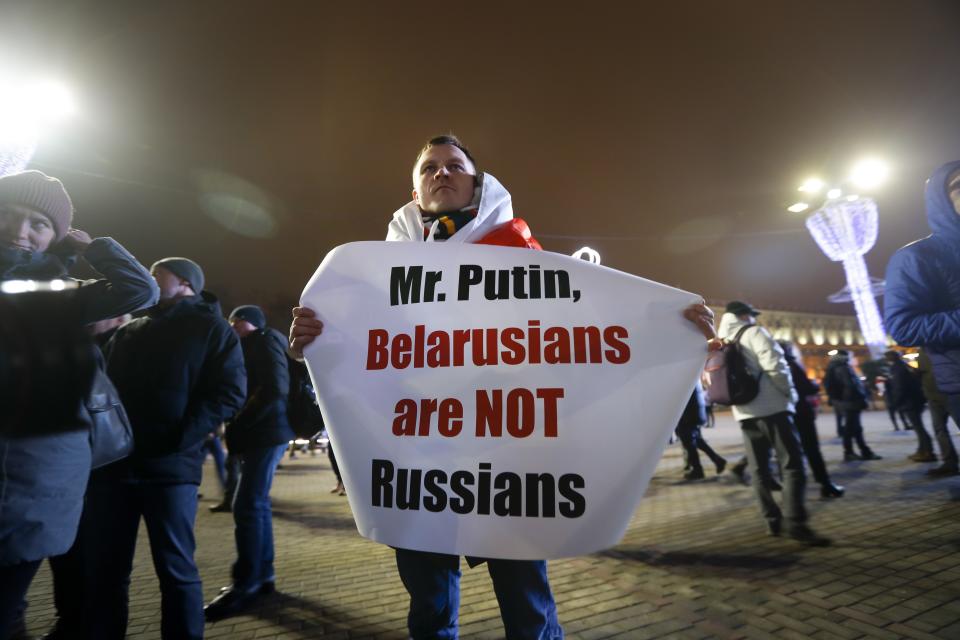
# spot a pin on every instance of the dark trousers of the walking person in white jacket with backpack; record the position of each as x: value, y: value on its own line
x: 776, y: 432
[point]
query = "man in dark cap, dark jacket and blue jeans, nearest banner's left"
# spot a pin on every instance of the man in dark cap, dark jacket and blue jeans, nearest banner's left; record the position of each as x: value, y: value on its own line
x: 258, y: 435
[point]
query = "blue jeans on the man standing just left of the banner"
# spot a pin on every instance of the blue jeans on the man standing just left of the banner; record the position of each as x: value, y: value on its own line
x: 254, y: 523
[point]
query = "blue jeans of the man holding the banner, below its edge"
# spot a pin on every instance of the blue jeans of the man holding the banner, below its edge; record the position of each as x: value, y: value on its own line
x: 433, y: 582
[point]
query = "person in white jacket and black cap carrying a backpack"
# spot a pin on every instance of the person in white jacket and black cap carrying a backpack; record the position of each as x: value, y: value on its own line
x: 767, y: 423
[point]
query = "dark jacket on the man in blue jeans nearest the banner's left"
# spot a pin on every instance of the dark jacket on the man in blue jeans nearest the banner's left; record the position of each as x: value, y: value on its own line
x: 262, y: 422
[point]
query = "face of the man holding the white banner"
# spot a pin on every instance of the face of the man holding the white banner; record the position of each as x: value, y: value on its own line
x: 443, y: 179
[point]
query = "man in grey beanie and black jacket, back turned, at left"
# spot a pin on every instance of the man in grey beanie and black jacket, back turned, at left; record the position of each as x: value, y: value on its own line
x: 179, y: 371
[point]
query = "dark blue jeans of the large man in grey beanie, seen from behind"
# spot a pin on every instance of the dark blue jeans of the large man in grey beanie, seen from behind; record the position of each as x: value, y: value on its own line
x: 110, y: 521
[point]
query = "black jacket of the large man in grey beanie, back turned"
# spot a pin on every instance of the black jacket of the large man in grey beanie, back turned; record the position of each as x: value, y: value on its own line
x: 179, y: 371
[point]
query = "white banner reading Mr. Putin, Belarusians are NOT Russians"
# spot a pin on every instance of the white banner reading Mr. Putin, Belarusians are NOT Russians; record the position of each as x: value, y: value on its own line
x: 493, y: 401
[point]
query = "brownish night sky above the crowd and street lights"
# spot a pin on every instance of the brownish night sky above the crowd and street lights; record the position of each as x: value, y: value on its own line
x: 670, y: 136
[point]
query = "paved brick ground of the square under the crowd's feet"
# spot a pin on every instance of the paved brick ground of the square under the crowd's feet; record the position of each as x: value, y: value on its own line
x: 695, y: 563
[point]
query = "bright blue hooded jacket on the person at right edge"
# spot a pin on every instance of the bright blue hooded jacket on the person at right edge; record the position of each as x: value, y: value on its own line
x: 922, y: 299
